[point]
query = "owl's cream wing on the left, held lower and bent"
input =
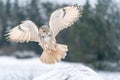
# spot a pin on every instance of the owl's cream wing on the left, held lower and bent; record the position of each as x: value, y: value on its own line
x: 25, y: 32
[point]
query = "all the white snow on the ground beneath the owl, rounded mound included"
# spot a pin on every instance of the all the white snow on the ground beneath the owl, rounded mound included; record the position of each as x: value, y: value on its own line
x: 29, y: 69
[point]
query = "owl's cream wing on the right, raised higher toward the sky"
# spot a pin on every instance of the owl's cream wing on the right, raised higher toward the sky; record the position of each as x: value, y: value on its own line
x: 64, y: 17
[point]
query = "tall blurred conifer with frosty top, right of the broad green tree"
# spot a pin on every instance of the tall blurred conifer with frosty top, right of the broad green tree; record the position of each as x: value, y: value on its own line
x: 106, y: 40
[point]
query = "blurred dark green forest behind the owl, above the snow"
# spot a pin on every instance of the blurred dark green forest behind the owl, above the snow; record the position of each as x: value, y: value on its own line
x: 94, y: 39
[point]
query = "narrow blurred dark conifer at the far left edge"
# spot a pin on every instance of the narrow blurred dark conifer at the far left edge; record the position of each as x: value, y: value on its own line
x: 5, y: 22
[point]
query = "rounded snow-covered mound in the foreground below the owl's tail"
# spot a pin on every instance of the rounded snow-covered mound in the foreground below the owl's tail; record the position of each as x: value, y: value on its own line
x: 70, y: 72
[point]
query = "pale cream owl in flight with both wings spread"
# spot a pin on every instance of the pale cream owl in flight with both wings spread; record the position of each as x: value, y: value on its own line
x: 45, y: 35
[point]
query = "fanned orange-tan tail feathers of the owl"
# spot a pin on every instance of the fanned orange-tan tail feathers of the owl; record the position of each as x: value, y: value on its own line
x: 52, y: 56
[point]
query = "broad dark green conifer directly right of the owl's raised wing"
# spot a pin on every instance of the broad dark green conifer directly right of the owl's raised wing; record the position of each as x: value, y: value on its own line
x: 79, y: 36
